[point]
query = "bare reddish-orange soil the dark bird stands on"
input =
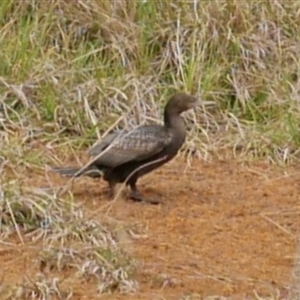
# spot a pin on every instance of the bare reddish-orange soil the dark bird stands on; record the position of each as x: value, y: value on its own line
x: 222, y: 229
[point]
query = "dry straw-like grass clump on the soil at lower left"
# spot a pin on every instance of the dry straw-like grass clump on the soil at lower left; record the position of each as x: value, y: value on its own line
x: 64, y: 240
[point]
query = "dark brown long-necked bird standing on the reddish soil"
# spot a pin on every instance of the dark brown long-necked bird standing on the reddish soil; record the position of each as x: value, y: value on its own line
x: 126, y: 156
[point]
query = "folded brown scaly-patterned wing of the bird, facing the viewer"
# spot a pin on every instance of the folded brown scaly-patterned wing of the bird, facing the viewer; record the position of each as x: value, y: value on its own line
x: 140, y: 143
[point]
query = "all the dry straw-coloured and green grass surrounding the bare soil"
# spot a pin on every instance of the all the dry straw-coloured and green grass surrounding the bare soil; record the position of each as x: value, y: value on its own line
x: 70, y: 70
